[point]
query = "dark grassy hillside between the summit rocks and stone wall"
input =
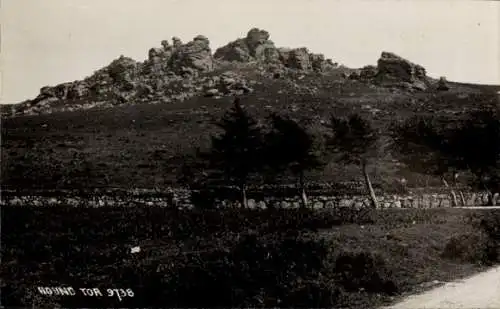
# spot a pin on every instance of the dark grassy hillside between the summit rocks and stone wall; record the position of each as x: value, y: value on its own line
x: 142, y: 145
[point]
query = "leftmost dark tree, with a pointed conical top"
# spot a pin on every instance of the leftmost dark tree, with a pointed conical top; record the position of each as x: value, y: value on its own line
x: 236, y: 153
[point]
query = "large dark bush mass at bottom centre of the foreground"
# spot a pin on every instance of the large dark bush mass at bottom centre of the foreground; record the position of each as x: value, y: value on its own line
x: 258, y: 271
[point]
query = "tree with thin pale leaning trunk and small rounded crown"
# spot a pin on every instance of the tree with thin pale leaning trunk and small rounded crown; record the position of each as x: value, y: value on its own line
x: 356, y: 141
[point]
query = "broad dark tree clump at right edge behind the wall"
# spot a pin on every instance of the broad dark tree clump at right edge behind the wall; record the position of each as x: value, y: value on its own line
x: 471, y: 145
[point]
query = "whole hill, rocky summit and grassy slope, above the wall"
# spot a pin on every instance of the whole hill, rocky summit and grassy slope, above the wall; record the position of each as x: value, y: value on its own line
x: 131, y: 124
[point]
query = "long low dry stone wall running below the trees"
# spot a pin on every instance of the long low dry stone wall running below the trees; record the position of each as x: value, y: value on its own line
x: 182, y: 198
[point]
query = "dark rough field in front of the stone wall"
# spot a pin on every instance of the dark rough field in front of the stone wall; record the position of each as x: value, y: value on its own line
x: 234, y: 258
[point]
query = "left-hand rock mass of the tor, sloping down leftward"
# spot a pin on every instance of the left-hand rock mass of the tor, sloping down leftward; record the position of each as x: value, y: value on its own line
x: 125, y: 80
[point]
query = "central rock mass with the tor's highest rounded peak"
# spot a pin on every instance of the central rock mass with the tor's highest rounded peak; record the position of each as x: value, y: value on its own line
x: 257, y: 46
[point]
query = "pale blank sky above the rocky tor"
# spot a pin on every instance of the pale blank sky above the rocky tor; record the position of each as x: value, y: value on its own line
x: 46, y: 42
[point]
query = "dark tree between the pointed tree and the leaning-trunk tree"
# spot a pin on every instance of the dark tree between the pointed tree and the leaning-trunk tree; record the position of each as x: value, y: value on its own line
x: 290, y: 147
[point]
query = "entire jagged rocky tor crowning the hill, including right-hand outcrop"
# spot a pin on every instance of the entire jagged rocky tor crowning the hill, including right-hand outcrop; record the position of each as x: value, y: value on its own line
x: 177, y: 71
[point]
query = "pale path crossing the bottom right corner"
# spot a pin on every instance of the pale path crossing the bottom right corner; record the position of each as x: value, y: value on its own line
x: 479, y: 291
